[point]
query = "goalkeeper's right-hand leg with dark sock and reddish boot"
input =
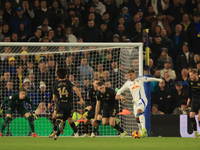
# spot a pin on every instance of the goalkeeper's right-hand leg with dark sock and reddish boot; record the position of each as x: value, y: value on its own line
x: 30, y: 119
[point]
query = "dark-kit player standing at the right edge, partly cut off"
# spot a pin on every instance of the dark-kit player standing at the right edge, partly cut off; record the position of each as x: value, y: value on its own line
x: 194, y: 97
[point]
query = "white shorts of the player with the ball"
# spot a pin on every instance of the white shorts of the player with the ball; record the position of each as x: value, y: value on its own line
x: 139, y: 104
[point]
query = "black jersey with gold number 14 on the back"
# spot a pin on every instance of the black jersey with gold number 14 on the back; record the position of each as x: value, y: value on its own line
x: 63, y: 91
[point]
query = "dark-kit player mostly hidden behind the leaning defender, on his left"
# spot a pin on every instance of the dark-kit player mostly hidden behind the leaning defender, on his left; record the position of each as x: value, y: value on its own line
x: 91, y: 107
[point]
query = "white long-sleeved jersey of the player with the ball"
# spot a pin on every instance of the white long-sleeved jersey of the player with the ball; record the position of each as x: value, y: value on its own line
x: 136, y: 87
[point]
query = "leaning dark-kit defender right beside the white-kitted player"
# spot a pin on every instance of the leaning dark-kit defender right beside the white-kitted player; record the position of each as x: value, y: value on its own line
x: 110, y: 107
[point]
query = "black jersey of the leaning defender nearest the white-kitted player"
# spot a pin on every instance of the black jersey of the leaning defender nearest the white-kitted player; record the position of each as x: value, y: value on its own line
x: 108, y: 98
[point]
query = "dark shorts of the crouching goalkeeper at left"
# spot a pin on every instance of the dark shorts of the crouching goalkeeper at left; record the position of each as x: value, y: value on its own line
x: 20, y: 110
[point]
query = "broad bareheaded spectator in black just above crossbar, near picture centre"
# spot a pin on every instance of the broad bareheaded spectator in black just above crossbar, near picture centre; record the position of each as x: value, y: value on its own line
x: 92, y: 33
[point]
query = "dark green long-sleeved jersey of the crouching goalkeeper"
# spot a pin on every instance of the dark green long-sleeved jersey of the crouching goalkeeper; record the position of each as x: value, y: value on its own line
x: 15, y: 101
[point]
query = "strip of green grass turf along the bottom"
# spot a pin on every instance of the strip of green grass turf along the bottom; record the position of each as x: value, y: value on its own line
x: 99, y: 143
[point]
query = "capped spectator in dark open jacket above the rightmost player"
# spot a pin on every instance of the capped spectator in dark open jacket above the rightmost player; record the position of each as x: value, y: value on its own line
x: 186, y: 58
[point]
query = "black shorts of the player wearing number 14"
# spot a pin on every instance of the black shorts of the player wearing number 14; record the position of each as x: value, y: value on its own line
x: 64, y: 111
